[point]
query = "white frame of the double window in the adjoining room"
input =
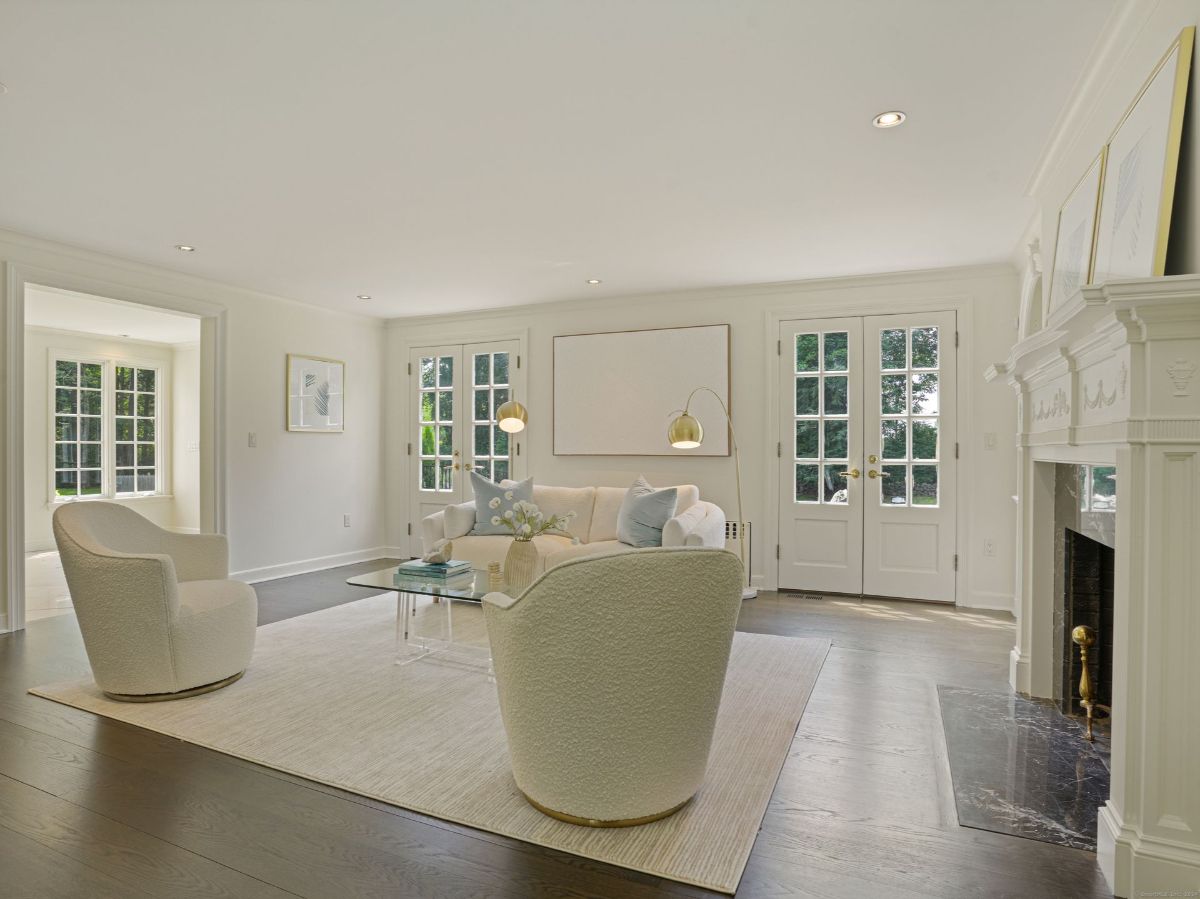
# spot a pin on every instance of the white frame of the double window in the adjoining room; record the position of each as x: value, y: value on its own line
x: 109, y: 425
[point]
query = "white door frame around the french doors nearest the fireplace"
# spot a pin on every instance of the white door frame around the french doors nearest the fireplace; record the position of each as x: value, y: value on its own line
x: 833, y: 305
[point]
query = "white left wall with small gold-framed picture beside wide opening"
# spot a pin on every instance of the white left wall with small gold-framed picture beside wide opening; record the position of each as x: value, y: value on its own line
x: 287, y: 498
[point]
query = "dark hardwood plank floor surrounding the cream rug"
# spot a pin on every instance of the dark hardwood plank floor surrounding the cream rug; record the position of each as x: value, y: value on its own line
x: 865, y: 808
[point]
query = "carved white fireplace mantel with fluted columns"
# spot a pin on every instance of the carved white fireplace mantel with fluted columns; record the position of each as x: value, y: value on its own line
x: 1114, y: 379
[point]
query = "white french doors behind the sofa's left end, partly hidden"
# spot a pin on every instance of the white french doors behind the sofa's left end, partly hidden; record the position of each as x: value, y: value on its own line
x: 457, y: 391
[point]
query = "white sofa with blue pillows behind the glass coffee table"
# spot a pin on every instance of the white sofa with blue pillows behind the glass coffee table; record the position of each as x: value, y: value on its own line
x: 697, y: 524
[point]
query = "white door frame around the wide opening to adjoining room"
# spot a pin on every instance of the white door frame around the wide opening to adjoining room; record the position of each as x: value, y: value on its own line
x: 214, y: 335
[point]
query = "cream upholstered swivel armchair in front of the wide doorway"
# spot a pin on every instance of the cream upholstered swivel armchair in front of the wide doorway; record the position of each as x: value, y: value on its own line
x: 159, y: 616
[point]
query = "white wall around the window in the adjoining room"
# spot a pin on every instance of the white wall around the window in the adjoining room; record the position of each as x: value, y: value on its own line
x: 40, y: 343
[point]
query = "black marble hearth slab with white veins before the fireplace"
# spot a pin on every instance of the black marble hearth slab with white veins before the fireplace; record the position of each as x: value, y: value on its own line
x: 1021, y: 768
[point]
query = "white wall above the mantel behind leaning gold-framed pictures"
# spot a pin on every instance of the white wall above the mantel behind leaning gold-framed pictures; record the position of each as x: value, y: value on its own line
x: 1137, y: 40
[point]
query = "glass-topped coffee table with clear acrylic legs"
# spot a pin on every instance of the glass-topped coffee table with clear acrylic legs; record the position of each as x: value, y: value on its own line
x: 427, y: 612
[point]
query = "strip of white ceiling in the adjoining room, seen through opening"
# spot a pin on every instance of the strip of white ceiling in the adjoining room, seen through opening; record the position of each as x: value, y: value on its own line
x: 67, y: 310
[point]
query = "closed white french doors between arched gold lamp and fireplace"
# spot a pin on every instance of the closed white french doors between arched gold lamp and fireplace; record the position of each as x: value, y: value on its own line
x: 868, y: 456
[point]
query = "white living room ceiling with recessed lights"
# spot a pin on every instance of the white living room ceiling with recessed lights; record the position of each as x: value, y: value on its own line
x: 447, y: 157
